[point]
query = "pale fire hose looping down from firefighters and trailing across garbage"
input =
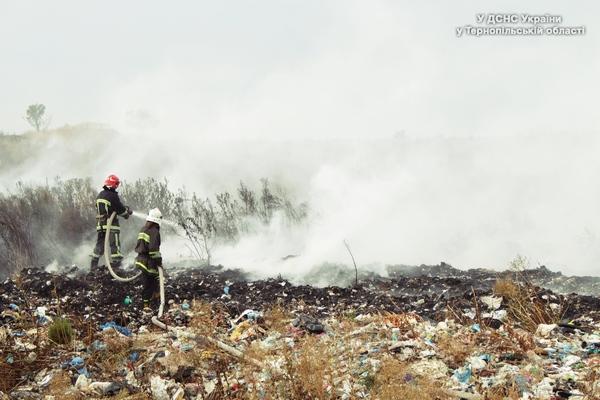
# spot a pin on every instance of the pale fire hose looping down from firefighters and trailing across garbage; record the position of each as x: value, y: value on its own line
x: 155, y: 319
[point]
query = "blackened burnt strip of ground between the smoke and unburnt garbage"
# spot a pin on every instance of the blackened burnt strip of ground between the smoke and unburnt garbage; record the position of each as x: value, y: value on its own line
x: 427, y: 291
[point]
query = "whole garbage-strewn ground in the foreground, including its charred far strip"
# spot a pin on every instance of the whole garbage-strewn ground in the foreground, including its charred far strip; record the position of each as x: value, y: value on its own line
x: 79, y: 337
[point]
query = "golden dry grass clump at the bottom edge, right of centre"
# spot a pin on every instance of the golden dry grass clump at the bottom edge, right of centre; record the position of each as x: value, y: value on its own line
x: 393, y: 381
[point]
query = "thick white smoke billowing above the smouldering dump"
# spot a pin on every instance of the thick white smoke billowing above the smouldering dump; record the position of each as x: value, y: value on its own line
x: 412, y: 144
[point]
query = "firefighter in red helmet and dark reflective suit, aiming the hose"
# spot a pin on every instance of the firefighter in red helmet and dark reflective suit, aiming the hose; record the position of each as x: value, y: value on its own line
x: 108, y: 201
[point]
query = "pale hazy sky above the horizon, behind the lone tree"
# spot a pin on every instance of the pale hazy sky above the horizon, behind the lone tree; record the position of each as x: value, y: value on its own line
x: 295, y: 68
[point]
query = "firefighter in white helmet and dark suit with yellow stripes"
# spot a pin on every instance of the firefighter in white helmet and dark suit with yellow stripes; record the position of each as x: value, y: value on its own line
x: 149, y: 258
